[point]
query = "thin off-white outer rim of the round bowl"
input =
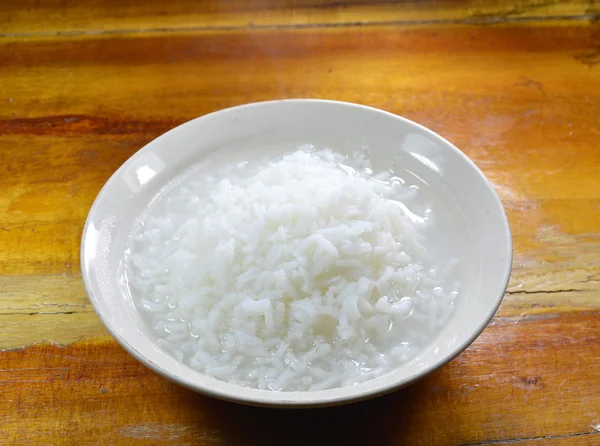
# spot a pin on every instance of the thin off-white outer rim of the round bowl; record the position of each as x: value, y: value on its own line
x: 286, y: 399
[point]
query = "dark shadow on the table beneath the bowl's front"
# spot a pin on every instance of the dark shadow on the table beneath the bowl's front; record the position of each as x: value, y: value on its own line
x: 390, y: 419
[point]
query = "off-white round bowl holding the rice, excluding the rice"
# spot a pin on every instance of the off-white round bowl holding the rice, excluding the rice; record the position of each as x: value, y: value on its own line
x: 486, y: 256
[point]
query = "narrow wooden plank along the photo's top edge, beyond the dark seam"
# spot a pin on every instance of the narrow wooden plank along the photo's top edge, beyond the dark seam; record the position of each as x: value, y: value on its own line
x: 27, y: 17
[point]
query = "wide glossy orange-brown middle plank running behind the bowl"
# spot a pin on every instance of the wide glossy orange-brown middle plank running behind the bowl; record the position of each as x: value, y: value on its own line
x: 543, y: 100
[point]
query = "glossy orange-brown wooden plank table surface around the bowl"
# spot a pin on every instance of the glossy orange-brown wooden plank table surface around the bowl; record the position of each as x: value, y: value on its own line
x: 515, y: 84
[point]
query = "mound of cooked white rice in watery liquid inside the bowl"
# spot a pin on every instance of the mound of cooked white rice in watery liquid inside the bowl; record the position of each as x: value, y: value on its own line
x: 299, y: 273
